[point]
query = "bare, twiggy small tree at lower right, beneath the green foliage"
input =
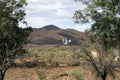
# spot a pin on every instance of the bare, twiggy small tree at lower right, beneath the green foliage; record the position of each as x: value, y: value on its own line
x: 102, y: 65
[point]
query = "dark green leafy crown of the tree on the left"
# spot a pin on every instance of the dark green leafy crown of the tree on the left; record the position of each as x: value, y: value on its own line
x: 11, y: 35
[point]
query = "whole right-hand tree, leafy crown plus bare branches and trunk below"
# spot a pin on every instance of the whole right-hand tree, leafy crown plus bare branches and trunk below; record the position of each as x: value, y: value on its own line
x: 105, y: 16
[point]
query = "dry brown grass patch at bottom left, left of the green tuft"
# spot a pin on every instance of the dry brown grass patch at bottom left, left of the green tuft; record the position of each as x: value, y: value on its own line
x: 21, y: 74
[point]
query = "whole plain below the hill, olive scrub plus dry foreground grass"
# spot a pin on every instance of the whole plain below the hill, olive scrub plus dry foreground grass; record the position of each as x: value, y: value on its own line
x: 52, y: 63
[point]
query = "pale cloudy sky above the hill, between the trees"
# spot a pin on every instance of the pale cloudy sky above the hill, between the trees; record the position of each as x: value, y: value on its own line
x: 56, y: 12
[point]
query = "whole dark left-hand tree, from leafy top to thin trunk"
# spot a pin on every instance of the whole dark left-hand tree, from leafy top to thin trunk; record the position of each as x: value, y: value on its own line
x: 12, y: 37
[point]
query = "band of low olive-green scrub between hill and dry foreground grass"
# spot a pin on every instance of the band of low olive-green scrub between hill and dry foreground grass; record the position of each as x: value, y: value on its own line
x: 56, y: 56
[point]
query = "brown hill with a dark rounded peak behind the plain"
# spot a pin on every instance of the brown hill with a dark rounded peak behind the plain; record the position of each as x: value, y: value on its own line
x: 52, y: 35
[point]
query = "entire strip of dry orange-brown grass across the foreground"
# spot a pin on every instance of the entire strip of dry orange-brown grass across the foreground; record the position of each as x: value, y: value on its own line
x: 58, y: 73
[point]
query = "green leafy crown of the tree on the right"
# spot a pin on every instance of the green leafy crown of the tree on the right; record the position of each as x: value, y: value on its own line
x: 104, y: 14
